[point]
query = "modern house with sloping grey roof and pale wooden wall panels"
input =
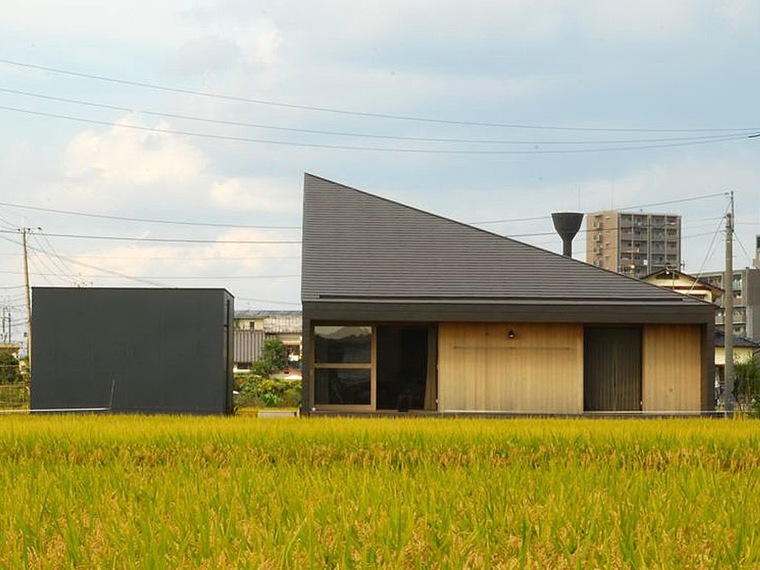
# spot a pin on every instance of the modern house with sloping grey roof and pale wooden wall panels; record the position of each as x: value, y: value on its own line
x: 404, y: 309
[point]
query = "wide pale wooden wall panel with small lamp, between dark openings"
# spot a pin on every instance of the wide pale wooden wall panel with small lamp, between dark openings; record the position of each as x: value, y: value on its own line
x: 481, y: 369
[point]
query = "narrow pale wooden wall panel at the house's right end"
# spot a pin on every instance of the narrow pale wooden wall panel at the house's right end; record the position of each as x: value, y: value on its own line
x: 672, y: 368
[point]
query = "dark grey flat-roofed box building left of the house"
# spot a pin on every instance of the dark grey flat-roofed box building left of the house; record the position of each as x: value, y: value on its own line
x: 138, y: 350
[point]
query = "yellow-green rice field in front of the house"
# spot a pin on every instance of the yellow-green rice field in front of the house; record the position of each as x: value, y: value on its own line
x: 187, y: 492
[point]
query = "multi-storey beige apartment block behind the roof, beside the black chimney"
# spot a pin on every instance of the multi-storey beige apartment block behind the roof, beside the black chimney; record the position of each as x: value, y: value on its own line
x: 634, y: 244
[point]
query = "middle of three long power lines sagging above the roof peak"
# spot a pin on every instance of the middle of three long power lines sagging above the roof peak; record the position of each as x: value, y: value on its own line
x: 357, y: 134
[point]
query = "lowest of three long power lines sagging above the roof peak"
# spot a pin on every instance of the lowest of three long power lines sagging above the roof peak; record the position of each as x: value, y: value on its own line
x: 373, y: 149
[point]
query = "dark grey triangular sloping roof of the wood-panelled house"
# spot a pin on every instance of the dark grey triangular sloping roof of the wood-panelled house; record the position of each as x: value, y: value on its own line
x: 357, y: 246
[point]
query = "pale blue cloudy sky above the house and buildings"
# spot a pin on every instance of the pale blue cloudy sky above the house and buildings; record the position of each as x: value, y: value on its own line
x: 163, y: 144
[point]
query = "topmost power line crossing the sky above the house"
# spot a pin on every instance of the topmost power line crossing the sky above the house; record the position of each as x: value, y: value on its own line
x: 349, y: 112
